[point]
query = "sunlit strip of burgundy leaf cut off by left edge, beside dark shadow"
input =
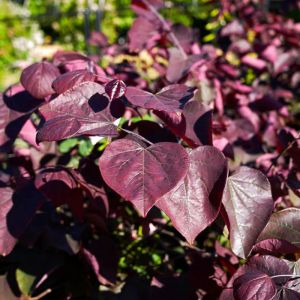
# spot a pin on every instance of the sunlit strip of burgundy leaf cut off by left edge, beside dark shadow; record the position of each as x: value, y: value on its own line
x: 7, y: 241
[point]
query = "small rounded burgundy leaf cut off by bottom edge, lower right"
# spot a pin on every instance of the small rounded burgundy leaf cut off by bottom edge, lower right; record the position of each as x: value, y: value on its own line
x: 254, y: 285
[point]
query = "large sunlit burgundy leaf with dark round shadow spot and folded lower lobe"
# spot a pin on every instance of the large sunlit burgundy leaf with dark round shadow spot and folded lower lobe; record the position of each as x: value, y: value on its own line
x: 85, y: 109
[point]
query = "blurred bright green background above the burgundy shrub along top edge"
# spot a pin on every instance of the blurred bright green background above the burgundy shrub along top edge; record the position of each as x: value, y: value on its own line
x: 33, y: 29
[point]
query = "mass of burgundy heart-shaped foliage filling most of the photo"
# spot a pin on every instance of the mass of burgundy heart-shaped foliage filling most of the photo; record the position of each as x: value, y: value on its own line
x: 184, y: 185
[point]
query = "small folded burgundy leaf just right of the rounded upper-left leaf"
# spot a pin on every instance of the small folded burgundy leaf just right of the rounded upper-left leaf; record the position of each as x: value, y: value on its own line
x: 70, y: 79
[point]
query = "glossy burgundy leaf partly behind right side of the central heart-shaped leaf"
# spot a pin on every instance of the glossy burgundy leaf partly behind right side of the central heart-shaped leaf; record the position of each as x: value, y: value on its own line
x: 195, y: 202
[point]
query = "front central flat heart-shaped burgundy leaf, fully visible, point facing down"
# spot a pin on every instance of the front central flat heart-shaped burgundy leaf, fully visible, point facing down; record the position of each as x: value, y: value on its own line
x: 143, y: 174
